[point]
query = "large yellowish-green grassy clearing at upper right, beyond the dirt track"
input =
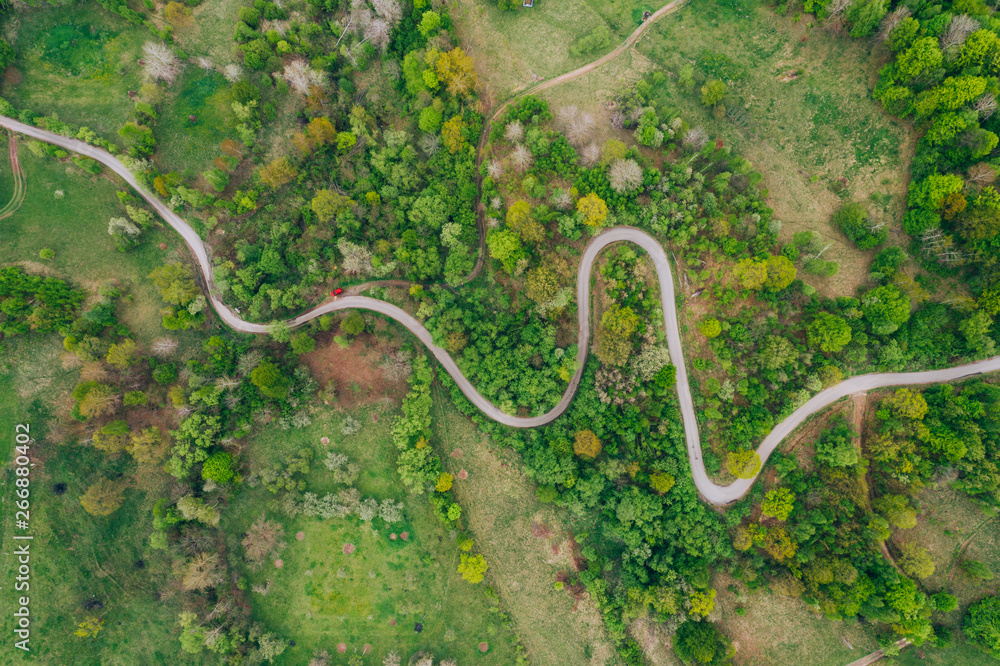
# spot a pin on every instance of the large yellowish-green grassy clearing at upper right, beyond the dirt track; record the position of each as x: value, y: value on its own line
x: 804, y: 116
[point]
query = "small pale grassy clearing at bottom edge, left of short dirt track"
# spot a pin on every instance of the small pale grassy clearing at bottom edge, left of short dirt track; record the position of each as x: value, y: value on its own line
x: 779, y: 630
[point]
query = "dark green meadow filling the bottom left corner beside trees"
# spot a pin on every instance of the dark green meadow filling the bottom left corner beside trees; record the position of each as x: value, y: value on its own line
x: 77, y: 558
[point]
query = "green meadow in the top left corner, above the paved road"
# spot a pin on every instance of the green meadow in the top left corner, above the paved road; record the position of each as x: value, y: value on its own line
x: 77, y: 62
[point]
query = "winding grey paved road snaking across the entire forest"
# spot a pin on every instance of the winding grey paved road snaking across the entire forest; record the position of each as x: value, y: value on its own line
x: 712, y: 492
